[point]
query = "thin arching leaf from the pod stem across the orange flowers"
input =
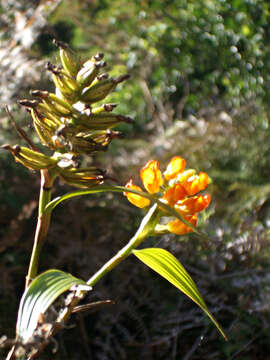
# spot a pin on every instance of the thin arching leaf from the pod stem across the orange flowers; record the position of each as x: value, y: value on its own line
x: 110, y: 188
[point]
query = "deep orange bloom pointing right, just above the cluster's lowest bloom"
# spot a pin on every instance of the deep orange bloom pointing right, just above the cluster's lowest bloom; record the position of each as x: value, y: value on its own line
x: 193, y: 204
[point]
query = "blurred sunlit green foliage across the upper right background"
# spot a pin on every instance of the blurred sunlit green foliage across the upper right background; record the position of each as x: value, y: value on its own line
x: 218, y: 49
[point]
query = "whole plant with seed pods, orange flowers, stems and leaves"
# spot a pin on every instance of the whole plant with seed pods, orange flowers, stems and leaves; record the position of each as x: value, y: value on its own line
x: 68, y: 123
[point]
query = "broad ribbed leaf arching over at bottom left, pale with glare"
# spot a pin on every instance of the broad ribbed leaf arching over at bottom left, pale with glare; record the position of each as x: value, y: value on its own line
x: 37, y: 298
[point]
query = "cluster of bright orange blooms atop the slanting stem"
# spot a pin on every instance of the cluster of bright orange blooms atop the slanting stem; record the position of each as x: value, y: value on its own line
x: 177, y: 187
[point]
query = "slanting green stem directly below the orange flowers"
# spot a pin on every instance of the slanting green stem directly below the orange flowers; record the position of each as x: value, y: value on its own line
x: 146, y: 228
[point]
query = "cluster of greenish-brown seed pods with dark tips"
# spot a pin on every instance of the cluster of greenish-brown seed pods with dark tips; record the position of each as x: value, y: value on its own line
x: 68, y: 122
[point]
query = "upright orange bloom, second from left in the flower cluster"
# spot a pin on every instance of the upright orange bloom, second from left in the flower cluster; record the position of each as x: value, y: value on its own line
x: 151, y: 177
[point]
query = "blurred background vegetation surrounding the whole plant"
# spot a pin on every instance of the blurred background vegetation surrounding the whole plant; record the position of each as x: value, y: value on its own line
x: 200, y: 89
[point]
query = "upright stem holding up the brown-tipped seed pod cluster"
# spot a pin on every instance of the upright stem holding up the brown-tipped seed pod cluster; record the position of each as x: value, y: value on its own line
x: 43, y: 223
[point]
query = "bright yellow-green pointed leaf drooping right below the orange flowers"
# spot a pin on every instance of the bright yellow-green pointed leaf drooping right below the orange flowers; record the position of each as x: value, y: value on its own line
x: 166, y: 265
